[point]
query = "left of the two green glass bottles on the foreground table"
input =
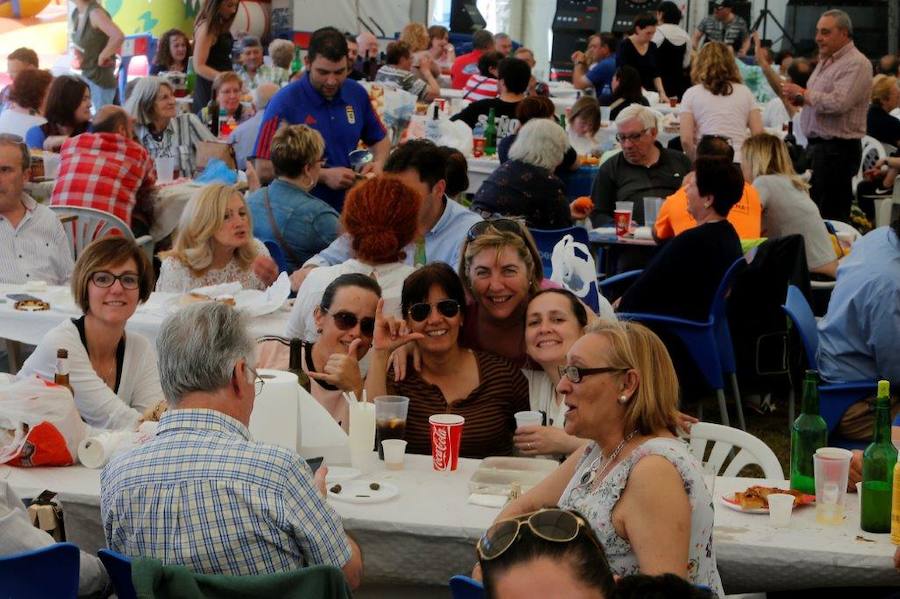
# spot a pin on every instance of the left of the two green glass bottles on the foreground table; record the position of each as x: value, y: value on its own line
x: 808, y: 433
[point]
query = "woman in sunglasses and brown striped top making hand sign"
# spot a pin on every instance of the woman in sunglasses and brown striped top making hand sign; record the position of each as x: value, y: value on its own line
x: 482, y: 387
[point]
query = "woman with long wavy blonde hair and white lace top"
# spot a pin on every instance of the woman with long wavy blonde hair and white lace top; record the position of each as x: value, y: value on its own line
x: 215, y: 244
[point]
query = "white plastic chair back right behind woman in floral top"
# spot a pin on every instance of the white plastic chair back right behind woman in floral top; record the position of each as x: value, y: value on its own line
x: 751, y: 450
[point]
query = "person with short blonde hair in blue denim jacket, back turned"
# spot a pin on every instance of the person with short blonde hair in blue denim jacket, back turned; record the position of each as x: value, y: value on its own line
x: 285, y: 212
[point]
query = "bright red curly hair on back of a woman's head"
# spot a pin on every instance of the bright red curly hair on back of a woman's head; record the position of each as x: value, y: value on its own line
x: 381, y: 215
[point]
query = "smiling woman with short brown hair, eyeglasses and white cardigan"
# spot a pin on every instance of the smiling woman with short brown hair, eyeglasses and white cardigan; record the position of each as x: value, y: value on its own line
x: 113, y: 374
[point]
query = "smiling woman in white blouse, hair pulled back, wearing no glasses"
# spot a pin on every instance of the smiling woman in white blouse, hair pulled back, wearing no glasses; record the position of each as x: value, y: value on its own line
x: 554, y: 320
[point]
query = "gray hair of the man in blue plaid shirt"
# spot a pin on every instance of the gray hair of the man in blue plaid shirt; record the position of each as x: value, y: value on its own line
x: 198, y: 348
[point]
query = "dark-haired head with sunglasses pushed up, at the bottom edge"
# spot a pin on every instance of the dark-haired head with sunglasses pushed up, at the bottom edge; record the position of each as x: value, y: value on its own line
x: 547, y: 553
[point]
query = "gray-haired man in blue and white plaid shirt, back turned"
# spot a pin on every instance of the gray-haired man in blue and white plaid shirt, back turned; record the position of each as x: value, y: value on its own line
x: 203, y: 494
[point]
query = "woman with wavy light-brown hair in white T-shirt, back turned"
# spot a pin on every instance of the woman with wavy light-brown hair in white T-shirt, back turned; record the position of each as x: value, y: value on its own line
x: 718, y: 103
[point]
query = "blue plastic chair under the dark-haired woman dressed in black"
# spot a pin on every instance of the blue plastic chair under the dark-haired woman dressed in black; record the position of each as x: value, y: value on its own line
x: 708, y: 343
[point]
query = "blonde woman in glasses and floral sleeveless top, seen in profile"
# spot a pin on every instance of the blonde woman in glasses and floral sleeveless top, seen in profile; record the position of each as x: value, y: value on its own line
x: 637, y: 484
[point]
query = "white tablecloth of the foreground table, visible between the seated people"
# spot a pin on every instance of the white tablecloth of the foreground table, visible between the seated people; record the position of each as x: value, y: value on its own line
x: 427, y: 533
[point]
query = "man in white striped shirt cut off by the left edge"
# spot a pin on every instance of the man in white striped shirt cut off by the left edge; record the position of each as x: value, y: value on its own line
x: 33, y: 244
